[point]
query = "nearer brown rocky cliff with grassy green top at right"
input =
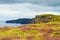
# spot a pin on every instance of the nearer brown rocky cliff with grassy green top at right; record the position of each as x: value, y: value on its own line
x: 46, y: 18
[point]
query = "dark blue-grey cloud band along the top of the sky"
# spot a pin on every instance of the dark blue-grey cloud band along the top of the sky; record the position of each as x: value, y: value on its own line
x: 38, y: 2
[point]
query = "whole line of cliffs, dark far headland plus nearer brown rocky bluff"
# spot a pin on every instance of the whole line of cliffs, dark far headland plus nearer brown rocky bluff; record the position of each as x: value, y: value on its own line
x: 45, y: 18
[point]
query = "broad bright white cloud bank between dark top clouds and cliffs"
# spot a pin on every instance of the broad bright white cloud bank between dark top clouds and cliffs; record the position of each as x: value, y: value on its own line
x: 24, y: 10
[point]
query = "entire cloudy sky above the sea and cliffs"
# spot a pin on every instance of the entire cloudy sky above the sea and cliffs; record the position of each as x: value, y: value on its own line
x: 14, y: 9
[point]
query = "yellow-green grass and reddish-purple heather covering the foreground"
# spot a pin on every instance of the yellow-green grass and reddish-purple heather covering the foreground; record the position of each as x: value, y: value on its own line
x: 40, y: 31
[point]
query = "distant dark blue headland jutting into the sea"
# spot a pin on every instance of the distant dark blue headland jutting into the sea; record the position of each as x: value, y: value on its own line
x: 21, y: 21
